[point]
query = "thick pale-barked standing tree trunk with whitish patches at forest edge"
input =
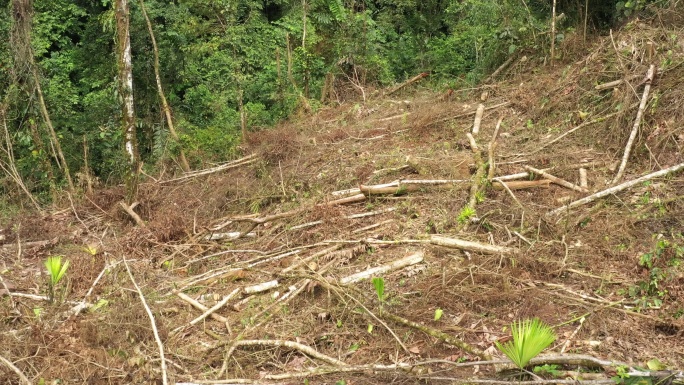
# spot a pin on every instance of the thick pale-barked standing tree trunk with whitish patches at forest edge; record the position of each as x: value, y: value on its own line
x: 123, y: 50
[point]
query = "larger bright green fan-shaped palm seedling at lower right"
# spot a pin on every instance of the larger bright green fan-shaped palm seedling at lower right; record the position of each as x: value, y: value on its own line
x: 530, y: 337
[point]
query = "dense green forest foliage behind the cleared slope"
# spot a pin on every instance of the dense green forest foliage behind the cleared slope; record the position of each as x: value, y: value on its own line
x: 261, y: 57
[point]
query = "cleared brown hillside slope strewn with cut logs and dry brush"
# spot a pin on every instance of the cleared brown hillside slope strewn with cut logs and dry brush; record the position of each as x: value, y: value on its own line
x: 274, y: 243
